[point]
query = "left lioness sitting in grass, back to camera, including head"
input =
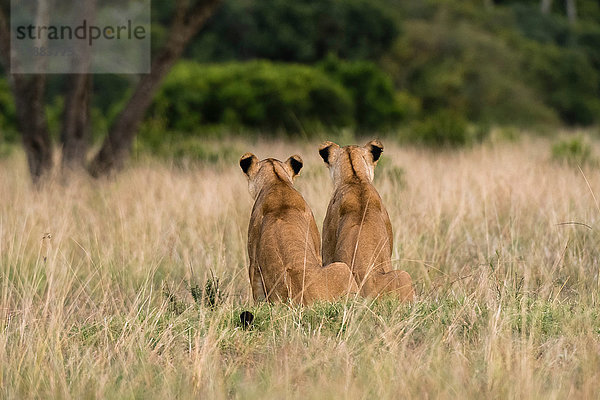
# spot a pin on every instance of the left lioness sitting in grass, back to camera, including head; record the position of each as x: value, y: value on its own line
x: 283, y: 239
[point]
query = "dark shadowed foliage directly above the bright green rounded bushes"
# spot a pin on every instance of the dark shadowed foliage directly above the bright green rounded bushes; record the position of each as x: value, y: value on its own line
x: 296, y: 31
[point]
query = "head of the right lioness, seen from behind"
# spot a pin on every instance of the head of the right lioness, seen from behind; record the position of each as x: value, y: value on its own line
x: 350, y: 162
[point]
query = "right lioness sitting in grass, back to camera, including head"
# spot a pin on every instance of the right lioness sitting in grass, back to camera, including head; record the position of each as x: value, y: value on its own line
x: 357, y: 228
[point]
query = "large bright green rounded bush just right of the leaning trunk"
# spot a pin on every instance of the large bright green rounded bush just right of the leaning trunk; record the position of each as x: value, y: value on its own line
x: 256, y: 94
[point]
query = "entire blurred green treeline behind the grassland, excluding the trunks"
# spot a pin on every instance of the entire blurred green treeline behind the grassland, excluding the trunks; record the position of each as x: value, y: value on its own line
x: 304, y: 66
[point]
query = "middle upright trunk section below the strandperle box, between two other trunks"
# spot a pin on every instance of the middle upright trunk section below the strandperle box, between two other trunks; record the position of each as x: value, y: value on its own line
x: 75, y: 134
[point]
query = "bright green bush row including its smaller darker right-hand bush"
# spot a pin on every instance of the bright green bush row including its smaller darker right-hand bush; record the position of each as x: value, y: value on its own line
x: 278, y: 96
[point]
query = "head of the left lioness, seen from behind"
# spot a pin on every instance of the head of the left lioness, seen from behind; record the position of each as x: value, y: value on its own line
x: 261, y: 173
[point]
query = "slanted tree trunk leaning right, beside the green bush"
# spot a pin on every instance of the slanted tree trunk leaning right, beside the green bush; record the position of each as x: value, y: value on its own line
x: 116, y: 147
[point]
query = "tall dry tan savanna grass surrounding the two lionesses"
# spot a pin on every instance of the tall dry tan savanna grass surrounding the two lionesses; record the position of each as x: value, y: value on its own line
x: 132, y: 287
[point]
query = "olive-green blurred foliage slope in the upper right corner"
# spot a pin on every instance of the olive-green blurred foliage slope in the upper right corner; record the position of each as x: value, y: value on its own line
x: 509, y: 63
